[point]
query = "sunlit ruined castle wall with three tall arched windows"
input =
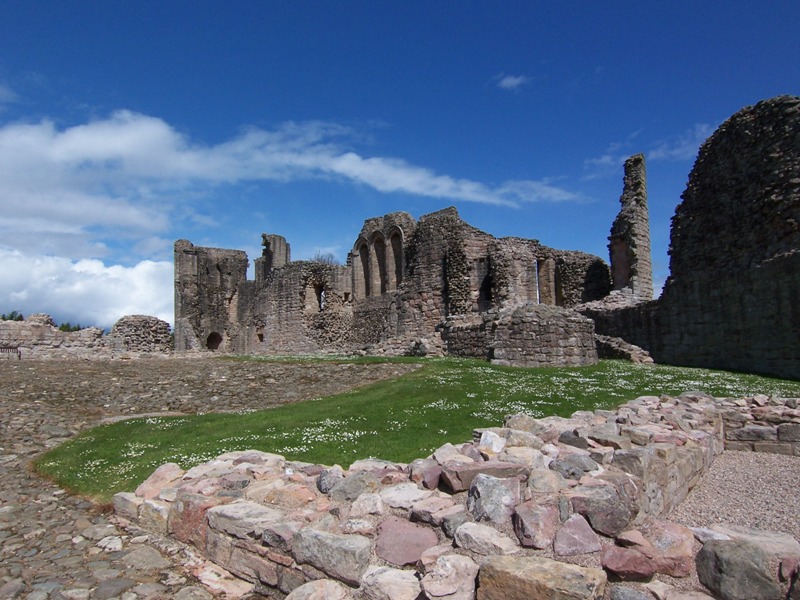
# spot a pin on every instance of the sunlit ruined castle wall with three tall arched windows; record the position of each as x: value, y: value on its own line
x: 403, y: 280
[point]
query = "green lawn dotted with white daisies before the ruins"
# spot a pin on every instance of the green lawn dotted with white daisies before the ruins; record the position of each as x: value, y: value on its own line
x: 399, y: 420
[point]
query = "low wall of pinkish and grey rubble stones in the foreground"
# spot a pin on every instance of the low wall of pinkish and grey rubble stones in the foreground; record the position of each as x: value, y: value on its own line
x: 511, y: 509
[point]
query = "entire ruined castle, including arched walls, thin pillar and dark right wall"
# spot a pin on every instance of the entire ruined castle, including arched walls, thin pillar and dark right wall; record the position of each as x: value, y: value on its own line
x: 439, y: 286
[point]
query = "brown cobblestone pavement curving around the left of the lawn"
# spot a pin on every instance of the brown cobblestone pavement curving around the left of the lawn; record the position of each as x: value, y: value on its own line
x: 56, y: 545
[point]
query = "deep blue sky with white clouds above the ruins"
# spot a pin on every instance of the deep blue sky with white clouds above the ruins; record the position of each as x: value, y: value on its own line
x: 127, y: 125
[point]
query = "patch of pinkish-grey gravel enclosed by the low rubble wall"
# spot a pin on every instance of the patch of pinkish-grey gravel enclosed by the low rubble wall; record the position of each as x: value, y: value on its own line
x: 749, y: 489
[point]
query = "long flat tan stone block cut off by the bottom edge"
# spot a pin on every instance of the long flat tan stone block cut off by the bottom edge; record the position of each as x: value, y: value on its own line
x: 535, y: 578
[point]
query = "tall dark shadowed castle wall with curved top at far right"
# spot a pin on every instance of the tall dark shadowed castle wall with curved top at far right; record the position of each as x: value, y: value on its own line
x: 731, y: 300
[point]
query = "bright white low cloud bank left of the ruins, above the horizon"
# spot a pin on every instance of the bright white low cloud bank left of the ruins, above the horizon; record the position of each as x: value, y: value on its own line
x: 85, y: 291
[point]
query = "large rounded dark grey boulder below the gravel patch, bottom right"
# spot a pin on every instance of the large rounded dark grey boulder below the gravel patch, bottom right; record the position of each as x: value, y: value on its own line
x: 736, y: 569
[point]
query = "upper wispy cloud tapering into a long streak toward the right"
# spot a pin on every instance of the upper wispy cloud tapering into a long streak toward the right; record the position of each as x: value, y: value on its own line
x: 128, y: 176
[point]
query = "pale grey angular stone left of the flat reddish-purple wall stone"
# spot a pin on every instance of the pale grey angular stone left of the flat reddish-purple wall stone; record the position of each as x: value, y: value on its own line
x: 345, y: 557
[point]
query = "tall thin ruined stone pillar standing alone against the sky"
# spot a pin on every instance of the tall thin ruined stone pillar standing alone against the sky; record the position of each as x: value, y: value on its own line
x: 629, y: 242
